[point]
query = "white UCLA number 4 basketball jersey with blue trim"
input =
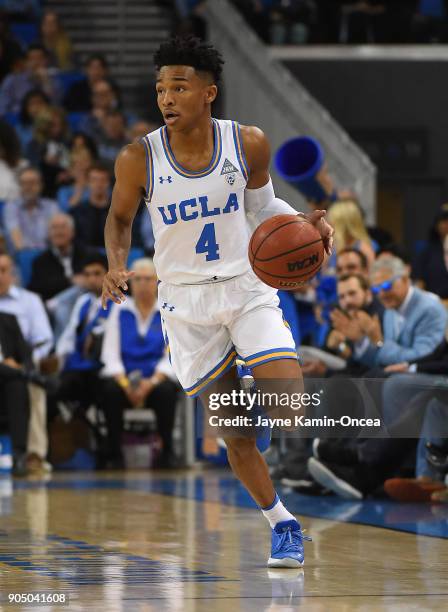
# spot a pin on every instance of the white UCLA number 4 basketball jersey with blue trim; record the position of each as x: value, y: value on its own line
x: 198, y: 218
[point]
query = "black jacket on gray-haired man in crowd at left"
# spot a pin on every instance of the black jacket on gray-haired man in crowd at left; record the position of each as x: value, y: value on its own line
x: 48, y: 277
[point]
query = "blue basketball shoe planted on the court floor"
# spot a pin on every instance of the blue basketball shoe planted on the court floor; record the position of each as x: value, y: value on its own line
x: 287, y: 545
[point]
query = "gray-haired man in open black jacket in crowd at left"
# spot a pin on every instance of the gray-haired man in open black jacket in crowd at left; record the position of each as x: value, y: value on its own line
x: 60, y: 266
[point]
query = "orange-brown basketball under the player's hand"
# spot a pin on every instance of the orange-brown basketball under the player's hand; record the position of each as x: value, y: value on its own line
x: 285, y: 251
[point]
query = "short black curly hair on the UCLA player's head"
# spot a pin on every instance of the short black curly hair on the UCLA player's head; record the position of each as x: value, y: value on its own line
x: 190, y: 51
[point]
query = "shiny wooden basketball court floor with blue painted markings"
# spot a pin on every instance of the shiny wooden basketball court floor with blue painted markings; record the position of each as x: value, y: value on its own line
x: 193, y: 541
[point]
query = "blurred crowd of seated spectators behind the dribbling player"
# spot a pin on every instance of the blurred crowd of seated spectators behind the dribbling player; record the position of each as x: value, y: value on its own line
x: 374, y: 311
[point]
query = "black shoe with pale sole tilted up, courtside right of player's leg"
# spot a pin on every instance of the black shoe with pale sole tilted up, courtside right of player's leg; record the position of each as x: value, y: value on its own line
x: 345, y: 481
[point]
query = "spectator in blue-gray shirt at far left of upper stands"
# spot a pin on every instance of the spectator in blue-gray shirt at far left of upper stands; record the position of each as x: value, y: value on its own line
x: 31, y: 74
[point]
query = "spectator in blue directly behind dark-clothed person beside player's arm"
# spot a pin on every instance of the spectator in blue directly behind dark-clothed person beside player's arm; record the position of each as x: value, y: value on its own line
x: 69, y: 196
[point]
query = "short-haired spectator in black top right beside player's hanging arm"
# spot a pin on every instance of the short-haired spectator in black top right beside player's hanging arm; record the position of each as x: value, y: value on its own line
x: 90, y: 216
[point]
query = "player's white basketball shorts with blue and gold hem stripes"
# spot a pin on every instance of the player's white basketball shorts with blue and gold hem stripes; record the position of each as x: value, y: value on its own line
x: 208, y: 326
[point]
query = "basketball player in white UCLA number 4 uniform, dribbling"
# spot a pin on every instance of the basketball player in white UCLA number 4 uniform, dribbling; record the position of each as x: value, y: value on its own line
x: 202, y: 179
